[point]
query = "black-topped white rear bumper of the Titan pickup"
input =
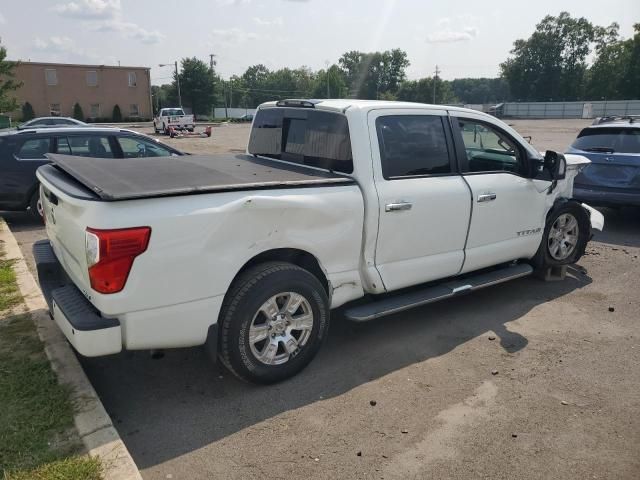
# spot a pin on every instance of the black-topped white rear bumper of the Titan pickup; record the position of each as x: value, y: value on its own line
x: 87, y: 330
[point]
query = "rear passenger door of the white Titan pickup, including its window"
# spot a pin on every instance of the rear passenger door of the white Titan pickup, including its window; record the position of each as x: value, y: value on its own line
x: 424, y: 204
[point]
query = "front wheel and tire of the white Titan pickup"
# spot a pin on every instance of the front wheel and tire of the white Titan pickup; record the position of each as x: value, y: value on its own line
x: 565, y: 237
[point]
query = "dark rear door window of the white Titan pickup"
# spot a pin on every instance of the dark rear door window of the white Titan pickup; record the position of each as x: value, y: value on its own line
x: 412, y: 145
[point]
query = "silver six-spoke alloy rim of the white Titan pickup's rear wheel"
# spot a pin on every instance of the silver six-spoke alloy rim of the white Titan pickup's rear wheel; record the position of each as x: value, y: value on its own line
x: 280, y: 328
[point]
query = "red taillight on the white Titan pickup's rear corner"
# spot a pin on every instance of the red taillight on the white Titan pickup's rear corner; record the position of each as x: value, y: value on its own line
x: 110, y: 255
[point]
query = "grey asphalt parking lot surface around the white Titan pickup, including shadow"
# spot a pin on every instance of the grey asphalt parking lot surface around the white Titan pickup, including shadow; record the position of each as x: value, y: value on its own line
x: 522, y: 380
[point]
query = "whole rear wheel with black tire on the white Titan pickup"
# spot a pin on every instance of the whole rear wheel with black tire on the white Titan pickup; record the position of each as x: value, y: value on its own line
x: 273, y: 321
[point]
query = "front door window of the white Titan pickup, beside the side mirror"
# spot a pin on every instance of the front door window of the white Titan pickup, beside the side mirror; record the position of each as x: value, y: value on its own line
x: 488, y: 149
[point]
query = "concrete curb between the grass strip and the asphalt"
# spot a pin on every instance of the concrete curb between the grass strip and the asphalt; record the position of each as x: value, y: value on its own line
x: 92, y: 421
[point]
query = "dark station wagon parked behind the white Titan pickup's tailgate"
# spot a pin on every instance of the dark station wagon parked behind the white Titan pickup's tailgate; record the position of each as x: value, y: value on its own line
x: 23, y: 151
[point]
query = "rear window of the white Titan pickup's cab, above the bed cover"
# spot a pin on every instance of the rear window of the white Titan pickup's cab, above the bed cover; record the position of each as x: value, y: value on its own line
x: 303, y: 136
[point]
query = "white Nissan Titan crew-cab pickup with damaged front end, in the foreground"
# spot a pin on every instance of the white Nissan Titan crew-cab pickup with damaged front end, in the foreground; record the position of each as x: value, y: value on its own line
x: 374, y: 206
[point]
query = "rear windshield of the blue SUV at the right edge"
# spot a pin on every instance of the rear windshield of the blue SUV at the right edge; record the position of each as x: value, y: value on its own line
x: 609, y: 140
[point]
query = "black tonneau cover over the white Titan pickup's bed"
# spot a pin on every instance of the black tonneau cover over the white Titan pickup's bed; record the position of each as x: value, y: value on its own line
x: 115, y: 179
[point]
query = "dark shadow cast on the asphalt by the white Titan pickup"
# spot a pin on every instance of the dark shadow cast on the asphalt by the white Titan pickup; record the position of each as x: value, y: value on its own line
x: 166, y: 408
